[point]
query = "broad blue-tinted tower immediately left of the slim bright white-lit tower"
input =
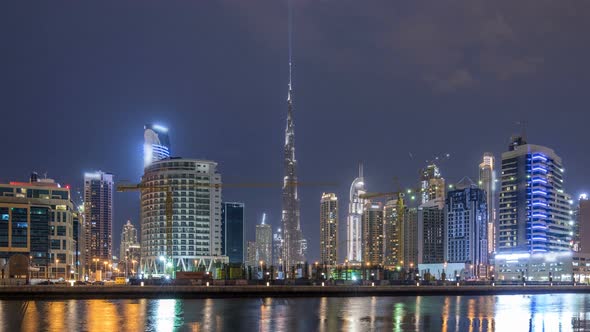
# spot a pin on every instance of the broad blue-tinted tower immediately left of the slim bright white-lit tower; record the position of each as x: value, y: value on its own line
x: 466, y: 224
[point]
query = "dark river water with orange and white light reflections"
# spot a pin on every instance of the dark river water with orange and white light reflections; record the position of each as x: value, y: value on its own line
x: 565, y: 312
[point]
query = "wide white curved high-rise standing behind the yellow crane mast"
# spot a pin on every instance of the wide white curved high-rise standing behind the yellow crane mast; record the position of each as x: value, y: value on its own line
x: 196, y: 221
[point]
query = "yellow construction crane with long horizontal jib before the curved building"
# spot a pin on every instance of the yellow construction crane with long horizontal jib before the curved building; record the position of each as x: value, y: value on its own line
x: 169, y: 189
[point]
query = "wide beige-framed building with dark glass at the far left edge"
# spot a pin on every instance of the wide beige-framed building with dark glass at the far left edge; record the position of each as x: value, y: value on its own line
x: 38, y: 221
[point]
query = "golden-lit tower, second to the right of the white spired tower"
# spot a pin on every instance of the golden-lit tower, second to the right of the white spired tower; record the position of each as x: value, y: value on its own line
x: 393, y: 214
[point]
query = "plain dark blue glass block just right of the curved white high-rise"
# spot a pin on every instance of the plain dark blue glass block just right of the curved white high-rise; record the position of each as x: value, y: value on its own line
x: 232, y: 231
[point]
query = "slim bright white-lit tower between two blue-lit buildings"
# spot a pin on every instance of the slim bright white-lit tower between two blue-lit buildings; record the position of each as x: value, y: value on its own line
x: 487, y: 182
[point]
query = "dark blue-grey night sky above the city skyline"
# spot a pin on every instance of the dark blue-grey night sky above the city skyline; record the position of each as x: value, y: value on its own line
x: 375, y: 81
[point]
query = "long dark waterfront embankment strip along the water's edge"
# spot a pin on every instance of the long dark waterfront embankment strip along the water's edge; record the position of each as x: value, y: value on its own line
x: 189, y: 292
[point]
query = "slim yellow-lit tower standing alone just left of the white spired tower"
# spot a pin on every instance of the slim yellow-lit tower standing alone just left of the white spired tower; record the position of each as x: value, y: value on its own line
x: 329, y: 229
